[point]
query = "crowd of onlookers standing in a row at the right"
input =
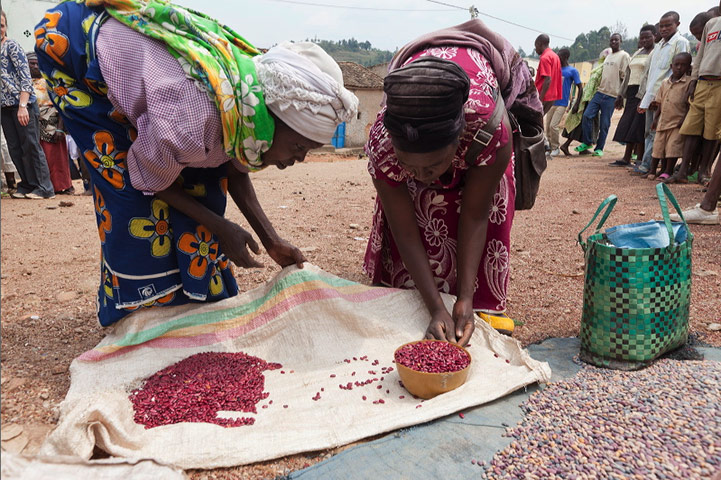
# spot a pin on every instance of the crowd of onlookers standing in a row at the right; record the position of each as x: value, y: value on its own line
x: 671, y: 104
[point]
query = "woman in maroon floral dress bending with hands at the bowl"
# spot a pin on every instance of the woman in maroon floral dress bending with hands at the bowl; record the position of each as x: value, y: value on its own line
x: 442, y: 222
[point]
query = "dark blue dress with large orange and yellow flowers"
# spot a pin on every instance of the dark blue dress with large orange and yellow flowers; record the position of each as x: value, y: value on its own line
x: 150, y: 254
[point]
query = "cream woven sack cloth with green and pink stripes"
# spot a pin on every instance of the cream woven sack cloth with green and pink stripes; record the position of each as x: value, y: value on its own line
x: 305, y: 319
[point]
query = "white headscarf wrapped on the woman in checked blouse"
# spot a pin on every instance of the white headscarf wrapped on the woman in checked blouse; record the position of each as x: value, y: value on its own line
x: 303, y: 86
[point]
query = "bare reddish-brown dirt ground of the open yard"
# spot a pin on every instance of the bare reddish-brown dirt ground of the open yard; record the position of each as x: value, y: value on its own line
x: 50, y: 271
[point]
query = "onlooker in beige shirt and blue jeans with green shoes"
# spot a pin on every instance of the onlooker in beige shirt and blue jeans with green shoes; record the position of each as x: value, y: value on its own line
x: 614, y: 69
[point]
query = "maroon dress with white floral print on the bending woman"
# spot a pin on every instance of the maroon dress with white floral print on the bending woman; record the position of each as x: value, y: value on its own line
x: 438, y: 206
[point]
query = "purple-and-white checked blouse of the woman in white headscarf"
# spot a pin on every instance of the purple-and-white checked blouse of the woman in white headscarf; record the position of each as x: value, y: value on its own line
x: 178, y: 125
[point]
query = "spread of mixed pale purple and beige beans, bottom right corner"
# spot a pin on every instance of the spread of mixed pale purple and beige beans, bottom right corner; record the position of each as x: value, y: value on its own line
x: 662, y: 422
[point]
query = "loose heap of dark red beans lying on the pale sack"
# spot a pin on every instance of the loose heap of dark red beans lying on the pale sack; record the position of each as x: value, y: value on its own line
x: 196, y: 388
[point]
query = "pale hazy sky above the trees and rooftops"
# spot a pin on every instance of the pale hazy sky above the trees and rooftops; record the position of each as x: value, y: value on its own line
x: 267, y: 22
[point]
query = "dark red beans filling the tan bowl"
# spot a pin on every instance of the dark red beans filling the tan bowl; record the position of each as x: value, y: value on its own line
x: 432, y: 357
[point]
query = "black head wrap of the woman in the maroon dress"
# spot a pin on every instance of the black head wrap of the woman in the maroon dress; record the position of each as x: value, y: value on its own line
x: 424, y: 104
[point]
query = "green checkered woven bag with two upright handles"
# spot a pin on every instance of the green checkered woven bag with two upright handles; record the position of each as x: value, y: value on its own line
x: 635, y: 300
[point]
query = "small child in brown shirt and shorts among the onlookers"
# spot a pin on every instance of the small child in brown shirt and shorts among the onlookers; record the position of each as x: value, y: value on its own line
x: 671, y: 107
